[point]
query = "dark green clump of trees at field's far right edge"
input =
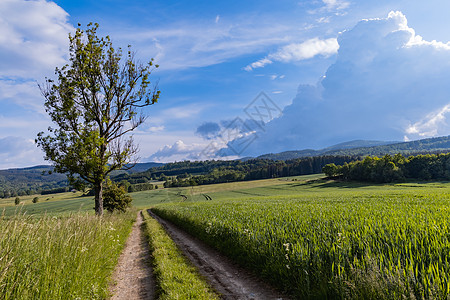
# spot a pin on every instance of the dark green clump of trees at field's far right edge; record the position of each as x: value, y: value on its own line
x: 393, y: 168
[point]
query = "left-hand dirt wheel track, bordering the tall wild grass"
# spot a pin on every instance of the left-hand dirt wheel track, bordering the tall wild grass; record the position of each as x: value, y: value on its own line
x: 133, y: 274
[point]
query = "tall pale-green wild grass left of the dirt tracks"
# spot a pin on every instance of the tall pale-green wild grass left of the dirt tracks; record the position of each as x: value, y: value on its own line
x: 70, y: 257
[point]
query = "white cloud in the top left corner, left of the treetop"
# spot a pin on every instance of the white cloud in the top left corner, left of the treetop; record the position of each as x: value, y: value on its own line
x: 33, y: 38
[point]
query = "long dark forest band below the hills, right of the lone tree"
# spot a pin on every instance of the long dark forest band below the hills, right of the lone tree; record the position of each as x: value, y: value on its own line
x: 188, y: 173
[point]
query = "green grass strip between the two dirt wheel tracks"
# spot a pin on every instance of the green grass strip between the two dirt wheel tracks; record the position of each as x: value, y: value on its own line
x: 176, y: 277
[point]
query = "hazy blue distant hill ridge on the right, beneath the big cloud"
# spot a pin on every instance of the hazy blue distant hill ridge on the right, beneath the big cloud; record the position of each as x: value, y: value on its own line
x: 373, y: 148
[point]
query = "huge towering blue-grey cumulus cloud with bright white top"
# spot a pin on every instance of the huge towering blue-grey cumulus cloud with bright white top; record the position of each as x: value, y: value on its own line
x: 387, y: 83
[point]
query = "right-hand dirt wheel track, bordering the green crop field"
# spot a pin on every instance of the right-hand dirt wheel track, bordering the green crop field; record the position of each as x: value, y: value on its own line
x: 225, y: 276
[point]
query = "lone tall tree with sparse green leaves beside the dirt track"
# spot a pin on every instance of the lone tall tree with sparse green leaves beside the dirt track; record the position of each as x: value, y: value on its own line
x: 96, y: 100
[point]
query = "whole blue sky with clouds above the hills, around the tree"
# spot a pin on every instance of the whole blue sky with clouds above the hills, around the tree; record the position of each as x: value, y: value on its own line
x: 242, y: 78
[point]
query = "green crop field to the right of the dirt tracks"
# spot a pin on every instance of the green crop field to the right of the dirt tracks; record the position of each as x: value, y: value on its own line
x: 326, y: 239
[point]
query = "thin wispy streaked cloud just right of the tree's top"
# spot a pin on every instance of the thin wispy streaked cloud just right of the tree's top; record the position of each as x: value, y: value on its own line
x: 186, y: 45
